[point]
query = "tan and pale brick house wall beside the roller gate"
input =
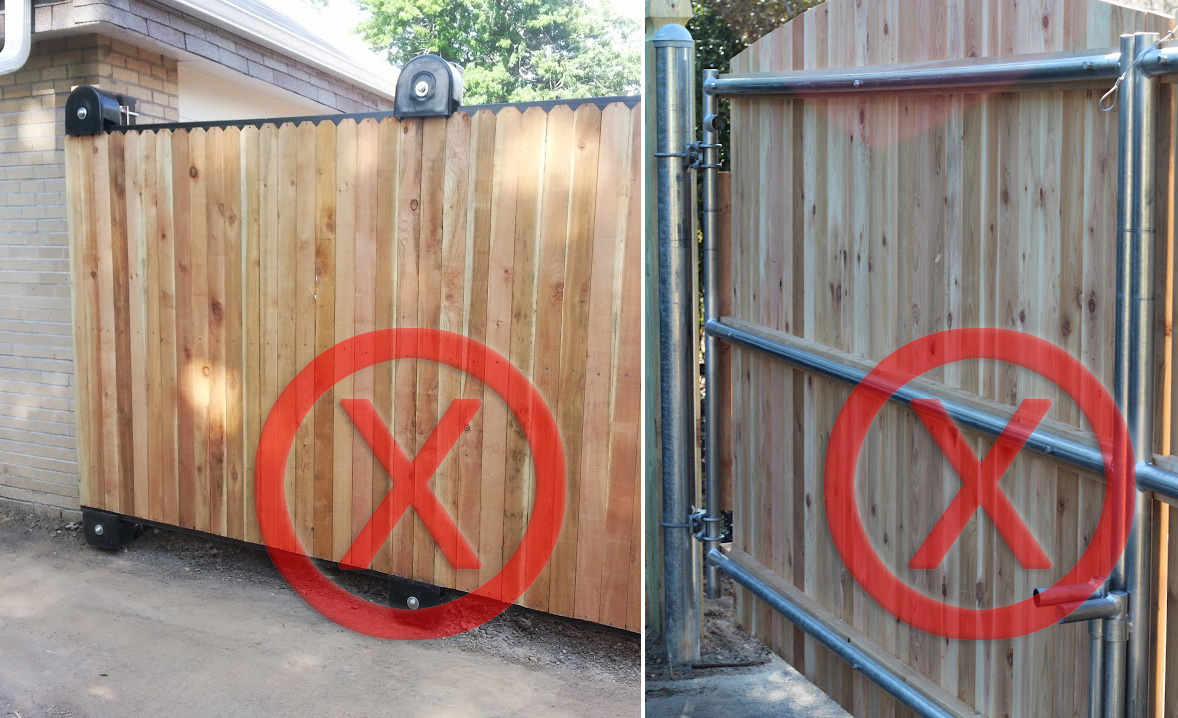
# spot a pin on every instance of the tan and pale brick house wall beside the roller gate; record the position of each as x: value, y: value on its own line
x: 38, y: 460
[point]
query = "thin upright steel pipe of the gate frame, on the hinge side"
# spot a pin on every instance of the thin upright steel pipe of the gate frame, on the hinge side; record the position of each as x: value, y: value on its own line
x: 710, y: 168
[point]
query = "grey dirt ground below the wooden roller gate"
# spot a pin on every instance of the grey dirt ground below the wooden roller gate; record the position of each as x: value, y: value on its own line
x: 181, y: 626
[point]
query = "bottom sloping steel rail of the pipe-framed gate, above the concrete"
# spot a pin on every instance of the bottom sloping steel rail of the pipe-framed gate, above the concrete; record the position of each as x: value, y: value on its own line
x: 861, y: 661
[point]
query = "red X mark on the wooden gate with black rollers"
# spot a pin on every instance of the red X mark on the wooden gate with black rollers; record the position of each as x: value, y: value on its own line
x: 411, y: 483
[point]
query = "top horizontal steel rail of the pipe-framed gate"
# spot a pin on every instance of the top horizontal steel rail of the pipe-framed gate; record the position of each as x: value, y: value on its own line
x: 952, y: 75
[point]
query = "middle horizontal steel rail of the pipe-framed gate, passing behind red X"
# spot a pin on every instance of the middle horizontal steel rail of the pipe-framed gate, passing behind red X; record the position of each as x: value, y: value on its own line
x: 1150, y: 477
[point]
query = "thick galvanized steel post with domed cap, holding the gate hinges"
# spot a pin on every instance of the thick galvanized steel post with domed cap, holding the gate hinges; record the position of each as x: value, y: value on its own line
x: 678, y: 363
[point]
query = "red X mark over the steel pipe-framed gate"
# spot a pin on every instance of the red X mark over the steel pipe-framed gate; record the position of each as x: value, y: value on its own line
x: 981, y: 484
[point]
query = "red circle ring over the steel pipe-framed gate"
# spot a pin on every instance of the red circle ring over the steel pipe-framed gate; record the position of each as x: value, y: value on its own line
x: 861, y: 411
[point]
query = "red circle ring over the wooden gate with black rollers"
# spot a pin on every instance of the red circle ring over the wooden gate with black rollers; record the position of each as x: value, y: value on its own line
x: 539, y: 538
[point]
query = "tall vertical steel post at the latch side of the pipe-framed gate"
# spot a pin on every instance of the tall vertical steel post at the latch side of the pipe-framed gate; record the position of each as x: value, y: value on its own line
x: 1134, y: 368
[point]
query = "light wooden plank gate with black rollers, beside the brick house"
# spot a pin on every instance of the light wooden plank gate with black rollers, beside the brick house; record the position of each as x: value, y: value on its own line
x: 213, y: 263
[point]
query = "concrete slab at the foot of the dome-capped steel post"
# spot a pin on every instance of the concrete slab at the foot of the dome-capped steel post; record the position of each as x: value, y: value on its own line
x: 775, y: 690
